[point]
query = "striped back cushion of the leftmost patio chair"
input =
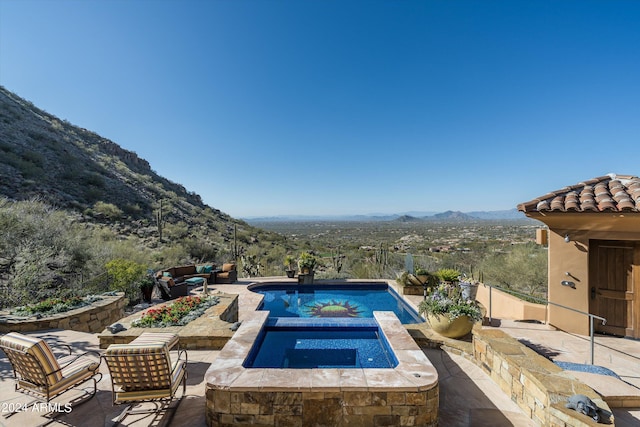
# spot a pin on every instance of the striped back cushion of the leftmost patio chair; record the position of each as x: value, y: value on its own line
x: 37, y: 348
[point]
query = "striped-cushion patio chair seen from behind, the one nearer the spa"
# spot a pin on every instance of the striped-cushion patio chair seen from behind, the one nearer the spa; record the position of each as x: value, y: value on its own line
x: 145, y: 373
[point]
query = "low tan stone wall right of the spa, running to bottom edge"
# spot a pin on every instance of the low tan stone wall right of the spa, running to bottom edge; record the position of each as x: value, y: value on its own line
x: 537, y: 385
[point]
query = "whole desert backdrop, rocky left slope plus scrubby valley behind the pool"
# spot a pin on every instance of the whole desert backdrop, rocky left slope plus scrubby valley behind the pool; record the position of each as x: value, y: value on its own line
x: 75, y: 206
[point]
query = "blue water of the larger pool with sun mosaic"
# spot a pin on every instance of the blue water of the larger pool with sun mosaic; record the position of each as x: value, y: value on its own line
x: 333, y: 301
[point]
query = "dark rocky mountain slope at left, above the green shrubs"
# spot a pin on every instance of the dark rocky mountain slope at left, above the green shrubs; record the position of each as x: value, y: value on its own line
x: 71, y: 168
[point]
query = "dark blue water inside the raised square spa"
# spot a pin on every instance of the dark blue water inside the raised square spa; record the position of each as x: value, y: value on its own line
x: 307, y: 345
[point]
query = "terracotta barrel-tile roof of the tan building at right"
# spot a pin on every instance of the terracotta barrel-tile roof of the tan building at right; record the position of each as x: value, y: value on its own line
x: 609, y: 193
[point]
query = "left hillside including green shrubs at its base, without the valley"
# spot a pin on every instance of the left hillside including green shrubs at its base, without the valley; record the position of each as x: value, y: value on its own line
x: 71, y: 200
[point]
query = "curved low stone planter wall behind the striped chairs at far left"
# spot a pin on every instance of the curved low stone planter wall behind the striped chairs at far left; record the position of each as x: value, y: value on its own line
x: 92, y: 318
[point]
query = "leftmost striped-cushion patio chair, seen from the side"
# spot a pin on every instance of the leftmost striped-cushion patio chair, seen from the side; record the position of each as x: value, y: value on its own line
x: 38, y: 373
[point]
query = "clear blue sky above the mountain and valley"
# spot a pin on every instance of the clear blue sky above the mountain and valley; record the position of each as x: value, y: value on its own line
x: 342, y: 107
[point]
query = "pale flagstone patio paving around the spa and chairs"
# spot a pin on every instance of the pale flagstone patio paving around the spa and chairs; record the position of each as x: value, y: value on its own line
x: 468, y: 396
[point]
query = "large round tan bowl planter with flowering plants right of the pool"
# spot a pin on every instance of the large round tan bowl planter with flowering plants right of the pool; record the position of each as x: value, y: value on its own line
x: 449, y: 313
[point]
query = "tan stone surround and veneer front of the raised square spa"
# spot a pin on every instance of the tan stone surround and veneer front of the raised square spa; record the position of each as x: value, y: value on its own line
x: 405, y: 395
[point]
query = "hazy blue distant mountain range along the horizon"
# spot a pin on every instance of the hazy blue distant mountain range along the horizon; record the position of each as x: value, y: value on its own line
x: 415, y: 216
